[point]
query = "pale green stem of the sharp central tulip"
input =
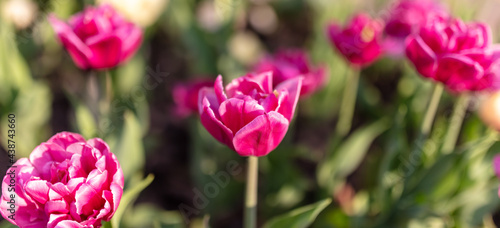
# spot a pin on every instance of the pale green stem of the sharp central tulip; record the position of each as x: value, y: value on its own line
x: 250, y: 220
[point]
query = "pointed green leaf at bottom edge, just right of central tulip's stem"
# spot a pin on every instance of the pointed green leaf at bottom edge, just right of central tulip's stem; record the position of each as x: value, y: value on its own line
x: 301, y: 217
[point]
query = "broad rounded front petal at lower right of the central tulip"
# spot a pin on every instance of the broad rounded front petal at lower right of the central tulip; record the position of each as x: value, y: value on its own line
x: 262, y: 135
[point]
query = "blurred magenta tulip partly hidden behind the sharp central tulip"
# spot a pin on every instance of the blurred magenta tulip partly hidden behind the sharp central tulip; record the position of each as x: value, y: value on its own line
x: 290, y: 64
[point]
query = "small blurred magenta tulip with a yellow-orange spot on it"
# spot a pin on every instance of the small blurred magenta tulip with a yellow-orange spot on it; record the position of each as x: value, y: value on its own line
x: 360, y: 41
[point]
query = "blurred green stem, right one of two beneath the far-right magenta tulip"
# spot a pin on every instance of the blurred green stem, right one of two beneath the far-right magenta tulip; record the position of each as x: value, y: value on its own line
x: 455, y: 124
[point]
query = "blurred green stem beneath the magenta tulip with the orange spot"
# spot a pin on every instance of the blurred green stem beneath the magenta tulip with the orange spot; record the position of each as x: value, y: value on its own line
x: 348, y: 103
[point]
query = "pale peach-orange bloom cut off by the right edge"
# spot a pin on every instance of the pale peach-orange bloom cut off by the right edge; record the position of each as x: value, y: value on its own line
x: 490, y: 111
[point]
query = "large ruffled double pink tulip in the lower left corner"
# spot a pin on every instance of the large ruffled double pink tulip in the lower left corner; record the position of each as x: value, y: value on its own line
x: 66, y: 182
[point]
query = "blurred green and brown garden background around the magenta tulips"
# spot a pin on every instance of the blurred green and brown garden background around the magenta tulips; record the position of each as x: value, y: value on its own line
x: 187, y: 39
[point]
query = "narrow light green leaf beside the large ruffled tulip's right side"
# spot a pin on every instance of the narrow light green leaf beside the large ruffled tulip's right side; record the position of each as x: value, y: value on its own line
x: 128, y: 197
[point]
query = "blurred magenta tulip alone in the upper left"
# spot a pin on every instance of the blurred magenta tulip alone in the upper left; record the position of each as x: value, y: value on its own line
x: 98, y: 38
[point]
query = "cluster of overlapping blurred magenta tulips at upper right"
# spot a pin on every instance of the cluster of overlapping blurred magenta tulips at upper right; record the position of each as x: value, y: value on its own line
x: 445, y: 49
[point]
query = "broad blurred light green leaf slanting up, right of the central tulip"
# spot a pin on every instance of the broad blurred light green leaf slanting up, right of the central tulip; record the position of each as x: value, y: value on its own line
x: 350, y: 154
